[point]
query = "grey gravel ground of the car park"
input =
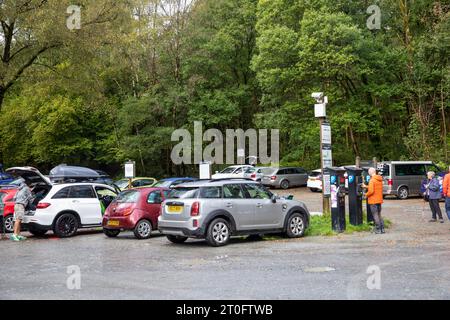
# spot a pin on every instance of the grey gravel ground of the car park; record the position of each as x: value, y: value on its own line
x: 412, y: 259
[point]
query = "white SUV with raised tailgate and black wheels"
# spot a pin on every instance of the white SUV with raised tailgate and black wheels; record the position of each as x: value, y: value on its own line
x: 66, y: 207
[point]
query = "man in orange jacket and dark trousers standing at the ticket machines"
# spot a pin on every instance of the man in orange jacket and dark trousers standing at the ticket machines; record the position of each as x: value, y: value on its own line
x: 374, y: 197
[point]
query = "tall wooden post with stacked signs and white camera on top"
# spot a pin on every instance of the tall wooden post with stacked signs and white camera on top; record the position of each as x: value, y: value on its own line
x: 326, y: 160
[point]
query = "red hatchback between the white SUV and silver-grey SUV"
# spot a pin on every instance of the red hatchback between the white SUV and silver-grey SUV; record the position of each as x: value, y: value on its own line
x: 134, y: 209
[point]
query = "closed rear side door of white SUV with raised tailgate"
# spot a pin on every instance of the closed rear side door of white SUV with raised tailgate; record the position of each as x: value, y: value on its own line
x: 83, y: 200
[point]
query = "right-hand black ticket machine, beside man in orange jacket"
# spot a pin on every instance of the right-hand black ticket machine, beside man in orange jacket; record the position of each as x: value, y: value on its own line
x: 355, y: 194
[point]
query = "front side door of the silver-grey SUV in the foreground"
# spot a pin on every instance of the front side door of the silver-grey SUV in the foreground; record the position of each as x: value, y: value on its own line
x: 267, y: 214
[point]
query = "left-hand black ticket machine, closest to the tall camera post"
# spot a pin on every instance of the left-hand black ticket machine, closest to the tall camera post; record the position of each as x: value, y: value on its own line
x: 337, y: 181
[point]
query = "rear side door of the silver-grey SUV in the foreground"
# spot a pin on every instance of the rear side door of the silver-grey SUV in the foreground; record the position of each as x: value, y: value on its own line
x: 236, y: 203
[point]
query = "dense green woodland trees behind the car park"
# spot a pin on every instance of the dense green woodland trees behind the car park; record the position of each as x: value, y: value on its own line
x: 136, y: 70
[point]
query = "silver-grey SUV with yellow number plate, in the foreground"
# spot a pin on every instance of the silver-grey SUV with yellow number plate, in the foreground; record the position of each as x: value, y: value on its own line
x: 215, y: 210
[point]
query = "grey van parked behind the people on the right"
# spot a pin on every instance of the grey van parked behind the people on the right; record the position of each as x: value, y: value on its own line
x: 404, y: 178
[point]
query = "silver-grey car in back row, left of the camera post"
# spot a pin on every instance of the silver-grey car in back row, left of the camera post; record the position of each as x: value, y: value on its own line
x: 284, y: 177
